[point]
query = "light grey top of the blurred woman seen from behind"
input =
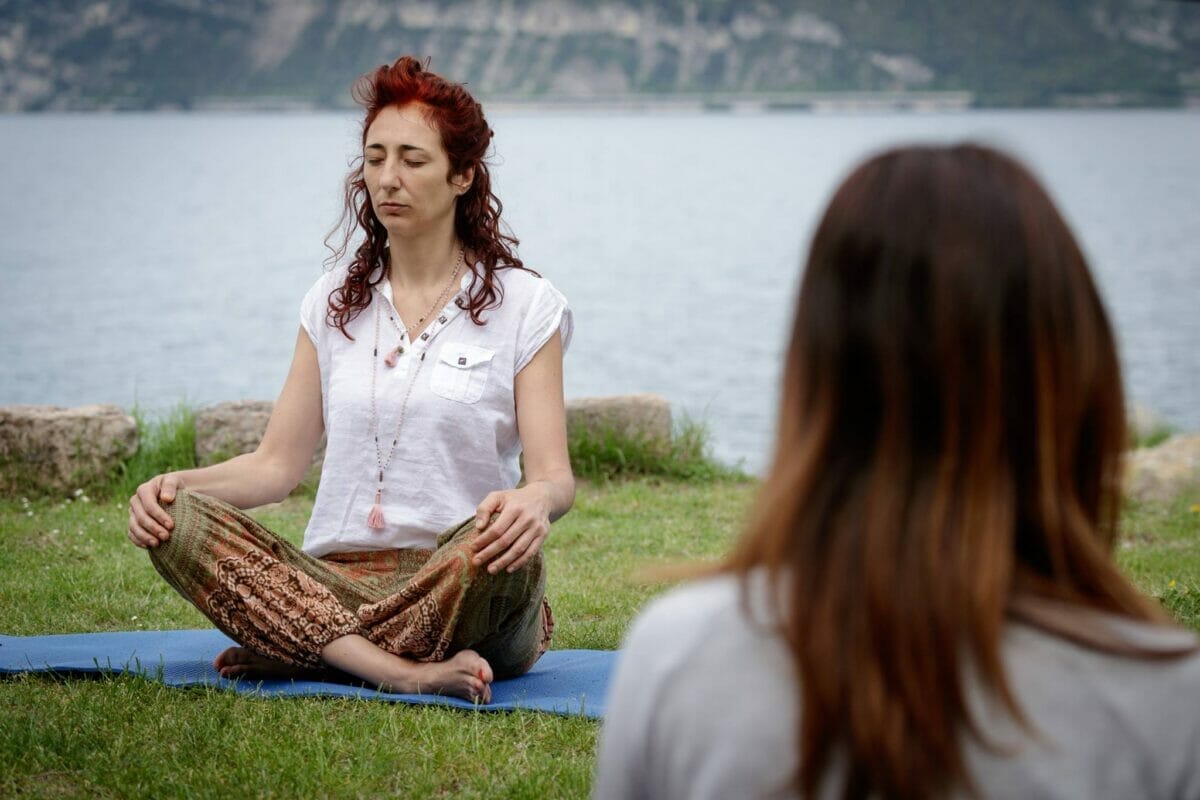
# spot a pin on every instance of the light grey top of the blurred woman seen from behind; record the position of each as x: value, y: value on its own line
x: 704, y: 705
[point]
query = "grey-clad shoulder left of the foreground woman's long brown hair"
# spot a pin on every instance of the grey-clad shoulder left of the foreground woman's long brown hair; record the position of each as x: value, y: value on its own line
x: 703, y: 669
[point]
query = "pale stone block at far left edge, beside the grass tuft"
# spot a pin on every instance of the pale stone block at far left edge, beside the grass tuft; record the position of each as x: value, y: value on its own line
x: 51, y: 448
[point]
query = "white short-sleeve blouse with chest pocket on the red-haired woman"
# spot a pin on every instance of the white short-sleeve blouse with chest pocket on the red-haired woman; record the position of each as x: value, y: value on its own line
x: 459, y: 438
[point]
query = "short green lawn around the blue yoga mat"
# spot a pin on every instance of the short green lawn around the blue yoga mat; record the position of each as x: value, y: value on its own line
x: 67, y: 566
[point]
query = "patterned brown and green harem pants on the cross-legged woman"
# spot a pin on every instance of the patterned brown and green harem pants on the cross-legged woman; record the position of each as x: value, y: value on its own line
x: 269, y: 597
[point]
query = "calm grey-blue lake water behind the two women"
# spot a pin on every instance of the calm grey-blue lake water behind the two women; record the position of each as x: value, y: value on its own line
x: 153, y: 260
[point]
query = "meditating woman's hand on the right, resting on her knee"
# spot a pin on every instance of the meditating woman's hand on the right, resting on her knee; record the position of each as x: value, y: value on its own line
x: 513, y: 525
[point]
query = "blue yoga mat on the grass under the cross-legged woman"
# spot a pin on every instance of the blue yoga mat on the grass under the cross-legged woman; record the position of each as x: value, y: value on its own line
x: 572, y: 683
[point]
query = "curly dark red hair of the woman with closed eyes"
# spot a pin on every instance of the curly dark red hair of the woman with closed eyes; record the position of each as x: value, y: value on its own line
x: 466, y: 136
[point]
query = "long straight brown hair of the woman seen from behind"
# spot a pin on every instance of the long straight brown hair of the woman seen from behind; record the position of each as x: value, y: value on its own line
x: 950, y: 440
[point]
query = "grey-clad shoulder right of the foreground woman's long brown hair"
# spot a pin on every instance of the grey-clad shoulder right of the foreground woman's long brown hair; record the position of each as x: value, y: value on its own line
x: 1108, y: 725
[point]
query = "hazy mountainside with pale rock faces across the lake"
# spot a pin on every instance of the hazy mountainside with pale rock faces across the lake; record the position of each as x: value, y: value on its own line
x: 146, y: 55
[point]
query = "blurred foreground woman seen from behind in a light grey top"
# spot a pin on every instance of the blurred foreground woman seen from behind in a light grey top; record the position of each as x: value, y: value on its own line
x: 925, y: 603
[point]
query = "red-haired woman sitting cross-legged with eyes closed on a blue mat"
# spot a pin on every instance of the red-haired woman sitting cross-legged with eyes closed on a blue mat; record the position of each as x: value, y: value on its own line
x: 431, y: 362
